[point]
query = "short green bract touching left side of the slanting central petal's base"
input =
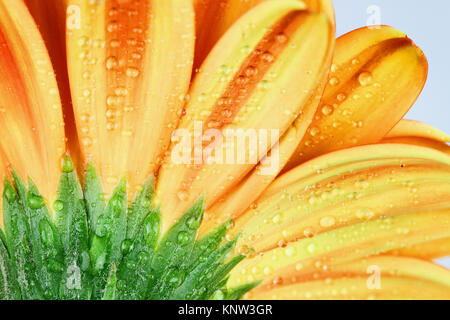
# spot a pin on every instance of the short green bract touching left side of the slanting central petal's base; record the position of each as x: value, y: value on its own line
x: 135, y: 272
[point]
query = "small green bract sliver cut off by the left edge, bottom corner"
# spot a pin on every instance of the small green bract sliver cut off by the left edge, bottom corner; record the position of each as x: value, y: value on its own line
x: 9, y: 287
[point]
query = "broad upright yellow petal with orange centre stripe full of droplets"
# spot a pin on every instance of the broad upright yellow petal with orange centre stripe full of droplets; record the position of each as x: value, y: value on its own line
x: 130, y: 64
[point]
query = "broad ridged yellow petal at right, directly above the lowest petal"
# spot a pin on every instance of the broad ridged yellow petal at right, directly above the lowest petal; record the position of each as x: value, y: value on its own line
x: 348, y: 204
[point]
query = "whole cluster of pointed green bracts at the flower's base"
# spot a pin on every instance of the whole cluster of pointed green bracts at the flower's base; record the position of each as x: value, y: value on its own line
x: 93, y: 249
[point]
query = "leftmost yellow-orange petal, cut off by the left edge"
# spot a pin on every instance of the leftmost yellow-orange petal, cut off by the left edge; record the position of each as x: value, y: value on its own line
x: 31, y: 122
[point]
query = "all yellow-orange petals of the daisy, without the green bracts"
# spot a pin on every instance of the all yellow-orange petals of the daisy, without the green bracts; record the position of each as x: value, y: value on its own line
x: 357, y: 188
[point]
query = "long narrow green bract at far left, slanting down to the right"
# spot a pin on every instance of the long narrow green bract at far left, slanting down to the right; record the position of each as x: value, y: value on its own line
x: 18, y: 244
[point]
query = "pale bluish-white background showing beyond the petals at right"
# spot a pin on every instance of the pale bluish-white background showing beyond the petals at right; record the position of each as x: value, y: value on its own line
x: 427, y: 23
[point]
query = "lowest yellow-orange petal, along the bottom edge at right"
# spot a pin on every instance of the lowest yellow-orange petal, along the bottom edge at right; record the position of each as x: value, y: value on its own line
x: 374, y: 278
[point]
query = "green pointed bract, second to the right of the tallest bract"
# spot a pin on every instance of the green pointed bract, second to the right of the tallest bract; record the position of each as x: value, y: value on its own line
x: 109, y: 233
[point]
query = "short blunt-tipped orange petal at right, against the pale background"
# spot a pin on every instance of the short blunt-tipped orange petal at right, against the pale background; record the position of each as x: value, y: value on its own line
x: 376, y: 76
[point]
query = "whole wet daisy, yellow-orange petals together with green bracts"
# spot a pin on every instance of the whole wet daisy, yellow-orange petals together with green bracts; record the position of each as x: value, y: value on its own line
x: 93, y: 95
